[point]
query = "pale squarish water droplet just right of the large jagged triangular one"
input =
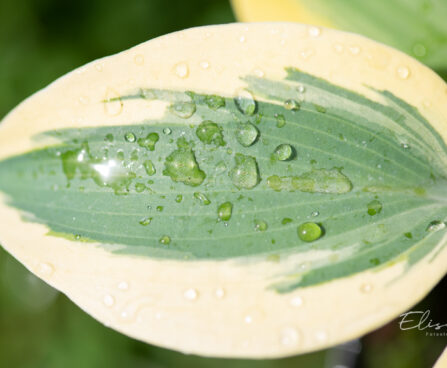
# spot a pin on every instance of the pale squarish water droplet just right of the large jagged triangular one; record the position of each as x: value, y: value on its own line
x: 245, y: 172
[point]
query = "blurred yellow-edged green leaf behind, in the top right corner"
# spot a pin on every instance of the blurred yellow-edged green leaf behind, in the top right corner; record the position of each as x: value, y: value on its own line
x: 417, y: 27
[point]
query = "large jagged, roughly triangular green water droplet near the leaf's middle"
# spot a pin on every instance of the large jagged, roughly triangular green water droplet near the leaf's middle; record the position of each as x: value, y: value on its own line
x: 181, y: 165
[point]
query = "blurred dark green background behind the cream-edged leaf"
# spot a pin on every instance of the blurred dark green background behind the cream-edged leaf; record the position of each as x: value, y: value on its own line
x: 41, y: 40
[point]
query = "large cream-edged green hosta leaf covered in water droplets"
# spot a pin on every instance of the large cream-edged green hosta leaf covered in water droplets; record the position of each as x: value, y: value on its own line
x: 213, y: 205
